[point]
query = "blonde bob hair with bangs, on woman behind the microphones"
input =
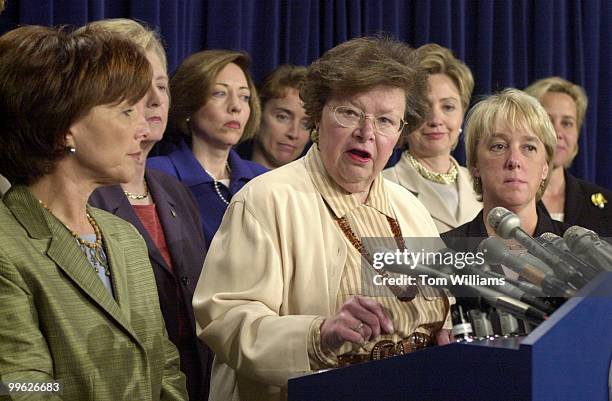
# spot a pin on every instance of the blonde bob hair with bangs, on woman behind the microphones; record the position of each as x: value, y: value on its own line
x: 517, y: 110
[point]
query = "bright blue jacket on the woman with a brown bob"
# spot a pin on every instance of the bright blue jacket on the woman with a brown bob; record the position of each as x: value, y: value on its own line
x: 183, y: 165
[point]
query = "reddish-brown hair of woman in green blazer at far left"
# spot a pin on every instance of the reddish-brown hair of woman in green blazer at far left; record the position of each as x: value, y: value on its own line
x: 51, y: 78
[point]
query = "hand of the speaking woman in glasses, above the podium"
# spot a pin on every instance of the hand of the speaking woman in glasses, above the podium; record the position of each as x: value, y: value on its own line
x: 359, y: 320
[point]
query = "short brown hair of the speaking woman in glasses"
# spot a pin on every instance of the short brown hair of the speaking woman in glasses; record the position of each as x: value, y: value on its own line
x: 361, y: 64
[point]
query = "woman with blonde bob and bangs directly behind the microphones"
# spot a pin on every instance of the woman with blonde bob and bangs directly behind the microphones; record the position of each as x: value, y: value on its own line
x: 510, y: 146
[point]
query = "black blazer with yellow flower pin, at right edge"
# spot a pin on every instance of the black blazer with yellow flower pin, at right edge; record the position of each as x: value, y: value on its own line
x: 580, y: 210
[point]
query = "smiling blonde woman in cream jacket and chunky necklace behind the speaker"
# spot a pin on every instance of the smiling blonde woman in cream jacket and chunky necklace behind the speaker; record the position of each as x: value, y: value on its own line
x: 426, y: 167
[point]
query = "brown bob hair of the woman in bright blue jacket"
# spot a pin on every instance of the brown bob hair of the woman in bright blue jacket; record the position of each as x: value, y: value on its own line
x: 192, y: 83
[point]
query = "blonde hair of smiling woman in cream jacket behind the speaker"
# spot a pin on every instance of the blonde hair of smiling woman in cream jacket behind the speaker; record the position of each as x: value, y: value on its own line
x: 436, y: 59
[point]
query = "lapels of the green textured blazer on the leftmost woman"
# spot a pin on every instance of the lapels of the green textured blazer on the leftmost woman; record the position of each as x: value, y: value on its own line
x: 63, y: 250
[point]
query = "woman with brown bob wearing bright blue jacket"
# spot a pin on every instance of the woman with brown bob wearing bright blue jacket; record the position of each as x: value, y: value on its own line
x: 214, y: 107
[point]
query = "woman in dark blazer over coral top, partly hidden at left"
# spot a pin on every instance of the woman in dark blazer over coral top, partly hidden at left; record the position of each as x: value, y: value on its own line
x: 166, y: 215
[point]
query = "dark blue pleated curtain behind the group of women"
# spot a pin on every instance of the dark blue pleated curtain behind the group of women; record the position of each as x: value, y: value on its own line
x: 505, y: 42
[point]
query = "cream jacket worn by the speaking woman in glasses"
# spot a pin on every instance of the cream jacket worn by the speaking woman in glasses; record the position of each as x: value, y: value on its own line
x: 273, y: 267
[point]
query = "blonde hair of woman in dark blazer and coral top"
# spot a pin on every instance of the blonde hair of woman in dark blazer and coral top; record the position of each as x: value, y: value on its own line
x: 138, y: 32
